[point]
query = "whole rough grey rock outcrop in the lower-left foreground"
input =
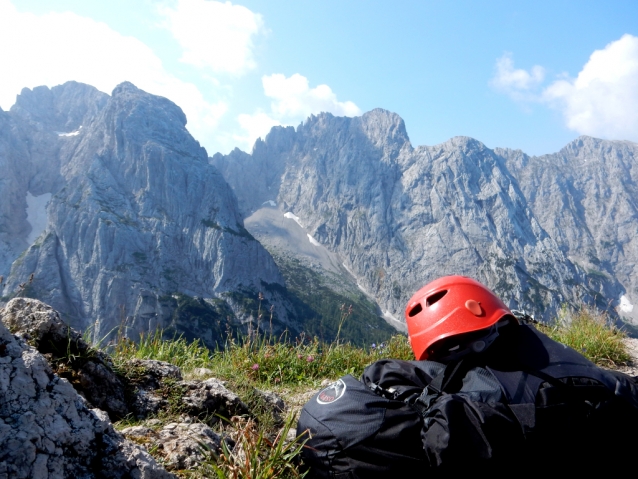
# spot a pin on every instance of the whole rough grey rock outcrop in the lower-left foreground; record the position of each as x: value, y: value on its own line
x: 49, y: 427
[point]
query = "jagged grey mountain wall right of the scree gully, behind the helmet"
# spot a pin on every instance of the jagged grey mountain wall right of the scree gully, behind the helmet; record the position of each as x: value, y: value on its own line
x: 399, y: 217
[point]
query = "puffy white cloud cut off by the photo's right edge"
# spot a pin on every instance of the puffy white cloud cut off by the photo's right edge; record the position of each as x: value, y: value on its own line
x: 603, y: 99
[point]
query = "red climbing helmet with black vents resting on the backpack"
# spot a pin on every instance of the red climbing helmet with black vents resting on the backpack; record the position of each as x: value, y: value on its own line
x: 451, y: 306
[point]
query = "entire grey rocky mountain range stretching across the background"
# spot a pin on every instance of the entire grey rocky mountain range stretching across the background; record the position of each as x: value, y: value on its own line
x: 113, y: 213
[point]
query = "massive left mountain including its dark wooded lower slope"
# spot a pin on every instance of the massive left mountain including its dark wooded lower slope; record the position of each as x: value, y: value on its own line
x: 111, y: 212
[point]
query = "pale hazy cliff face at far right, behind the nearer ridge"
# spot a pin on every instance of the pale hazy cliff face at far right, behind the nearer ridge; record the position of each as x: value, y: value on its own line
x: 586, y: 198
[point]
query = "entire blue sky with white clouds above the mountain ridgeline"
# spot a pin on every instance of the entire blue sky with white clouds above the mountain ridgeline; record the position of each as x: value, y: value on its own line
x: 528, y: 75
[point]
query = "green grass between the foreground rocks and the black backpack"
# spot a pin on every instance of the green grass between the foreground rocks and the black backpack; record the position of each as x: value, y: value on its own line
x: 259, y: 362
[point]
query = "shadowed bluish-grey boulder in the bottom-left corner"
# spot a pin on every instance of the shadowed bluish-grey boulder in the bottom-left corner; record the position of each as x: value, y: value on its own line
x: 47, y: 430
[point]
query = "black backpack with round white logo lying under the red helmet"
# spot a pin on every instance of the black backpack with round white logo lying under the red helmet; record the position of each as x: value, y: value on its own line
x: 404, y: 416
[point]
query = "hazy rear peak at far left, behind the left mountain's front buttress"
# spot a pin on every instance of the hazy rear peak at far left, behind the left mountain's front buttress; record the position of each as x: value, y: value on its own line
x: 33, y: 148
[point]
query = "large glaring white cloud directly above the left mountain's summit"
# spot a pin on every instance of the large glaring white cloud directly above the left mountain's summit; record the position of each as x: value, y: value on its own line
x: 53, y: 48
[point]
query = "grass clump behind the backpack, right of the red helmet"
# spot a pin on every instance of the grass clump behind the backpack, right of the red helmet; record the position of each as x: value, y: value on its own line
x: 591, y: 333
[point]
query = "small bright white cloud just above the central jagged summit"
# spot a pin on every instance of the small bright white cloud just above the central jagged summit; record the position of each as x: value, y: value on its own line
x: 293, y: 101
